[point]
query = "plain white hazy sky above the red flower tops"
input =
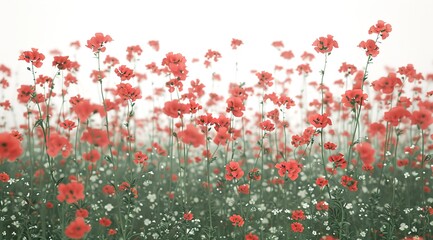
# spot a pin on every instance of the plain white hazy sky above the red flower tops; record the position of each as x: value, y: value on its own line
x: 193, y: 27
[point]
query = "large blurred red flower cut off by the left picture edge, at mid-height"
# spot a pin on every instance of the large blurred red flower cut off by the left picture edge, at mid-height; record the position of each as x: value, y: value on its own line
x: 10, y: 147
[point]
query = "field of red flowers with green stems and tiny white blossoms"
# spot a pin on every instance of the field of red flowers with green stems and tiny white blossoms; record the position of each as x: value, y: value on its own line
x: 158, y: 153
